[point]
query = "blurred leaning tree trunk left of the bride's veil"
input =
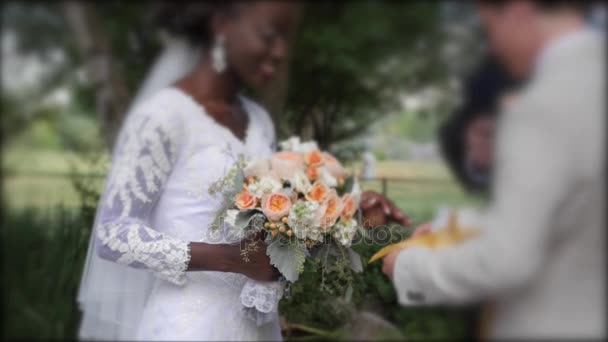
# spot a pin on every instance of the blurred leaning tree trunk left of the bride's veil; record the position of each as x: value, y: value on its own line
x: 112, y: 95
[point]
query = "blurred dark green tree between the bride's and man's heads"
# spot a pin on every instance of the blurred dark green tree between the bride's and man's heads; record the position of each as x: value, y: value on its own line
x: 352, y: 60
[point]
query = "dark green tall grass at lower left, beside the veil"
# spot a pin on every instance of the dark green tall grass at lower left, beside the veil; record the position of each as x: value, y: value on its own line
x: 43, y: 252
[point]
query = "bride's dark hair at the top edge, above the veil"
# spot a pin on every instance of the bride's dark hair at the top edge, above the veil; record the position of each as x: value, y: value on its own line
x: 189, y: 19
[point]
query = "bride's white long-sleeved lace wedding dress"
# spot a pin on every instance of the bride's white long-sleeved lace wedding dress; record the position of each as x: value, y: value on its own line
x: 156, y: 202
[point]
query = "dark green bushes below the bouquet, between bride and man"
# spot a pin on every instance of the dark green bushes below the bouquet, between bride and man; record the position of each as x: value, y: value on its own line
x: 363, y: 305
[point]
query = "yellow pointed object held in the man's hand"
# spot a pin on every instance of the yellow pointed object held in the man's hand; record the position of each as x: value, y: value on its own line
x: 450, y: 235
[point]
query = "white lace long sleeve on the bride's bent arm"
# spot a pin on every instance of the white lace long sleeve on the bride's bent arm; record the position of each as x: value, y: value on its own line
x: 144, y: 156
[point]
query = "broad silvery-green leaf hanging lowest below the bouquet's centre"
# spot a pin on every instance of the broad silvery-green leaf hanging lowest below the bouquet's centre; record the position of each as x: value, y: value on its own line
x: 288, y: 258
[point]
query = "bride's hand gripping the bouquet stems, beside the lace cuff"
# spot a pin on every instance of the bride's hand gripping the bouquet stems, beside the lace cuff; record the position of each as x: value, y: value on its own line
x: 254, y: 263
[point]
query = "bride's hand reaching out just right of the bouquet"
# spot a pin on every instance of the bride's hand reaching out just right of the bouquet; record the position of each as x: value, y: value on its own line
x: 377, y: 210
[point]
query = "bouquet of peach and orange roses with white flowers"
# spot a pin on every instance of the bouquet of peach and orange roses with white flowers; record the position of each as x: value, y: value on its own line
x: 303, y: 199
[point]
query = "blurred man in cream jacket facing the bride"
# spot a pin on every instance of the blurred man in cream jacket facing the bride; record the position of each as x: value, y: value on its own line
x: 540, y: 258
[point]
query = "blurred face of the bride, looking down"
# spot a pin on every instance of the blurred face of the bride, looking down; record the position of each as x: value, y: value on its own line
x: 257, y: 39
